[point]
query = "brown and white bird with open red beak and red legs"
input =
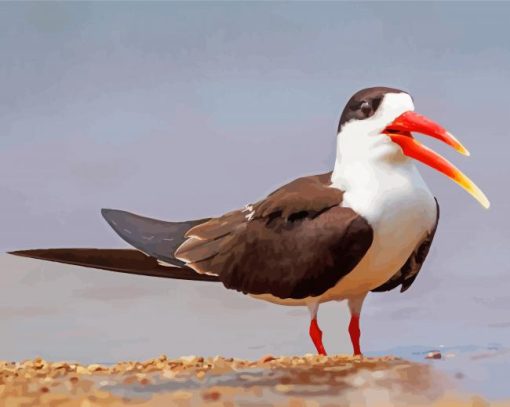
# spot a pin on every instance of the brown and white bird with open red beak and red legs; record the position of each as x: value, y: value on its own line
x: 366, y: 226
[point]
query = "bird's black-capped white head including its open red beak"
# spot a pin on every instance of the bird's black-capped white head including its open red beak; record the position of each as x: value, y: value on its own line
x: 377, y: 124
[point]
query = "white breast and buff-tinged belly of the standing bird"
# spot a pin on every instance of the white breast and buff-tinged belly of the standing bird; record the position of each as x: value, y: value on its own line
x: 401, y: 210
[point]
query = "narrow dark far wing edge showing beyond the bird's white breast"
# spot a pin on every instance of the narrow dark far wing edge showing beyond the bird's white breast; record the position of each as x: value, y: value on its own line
x: 408, y: 273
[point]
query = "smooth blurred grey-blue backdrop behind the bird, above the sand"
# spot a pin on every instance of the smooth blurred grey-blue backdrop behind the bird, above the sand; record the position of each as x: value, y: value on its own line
x: 181, y: 111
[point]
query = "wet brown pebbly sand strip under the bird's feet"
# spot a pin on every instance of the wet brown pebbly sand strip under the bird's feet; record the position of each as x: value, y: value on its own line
x: 193, y: 381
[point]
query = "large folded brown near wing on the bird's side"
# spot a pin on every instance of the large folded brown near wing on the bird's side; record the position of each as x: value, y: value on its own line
x: 298, y: 242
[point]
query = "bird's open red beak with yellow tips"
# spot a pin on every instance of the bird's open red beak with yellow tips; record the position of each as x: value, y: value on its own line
x: 400, y: 133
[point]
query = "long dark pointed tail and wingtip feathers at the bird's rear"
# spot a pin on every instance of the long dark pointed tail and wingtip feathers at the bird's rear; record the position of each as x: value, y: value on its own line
x: 155, y: 241
